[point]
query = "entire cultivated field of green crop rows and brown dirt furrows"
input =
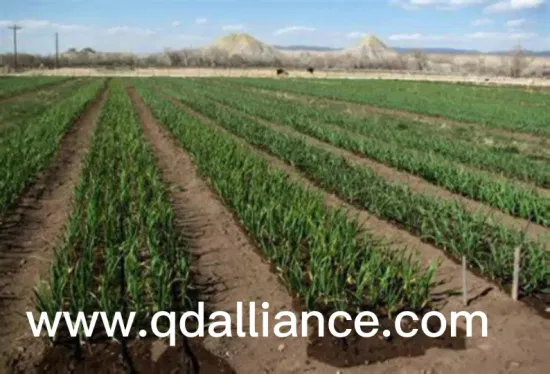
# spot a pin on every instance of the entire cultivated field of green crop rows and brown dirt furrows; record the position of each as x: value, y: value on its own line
x: 146, y: 194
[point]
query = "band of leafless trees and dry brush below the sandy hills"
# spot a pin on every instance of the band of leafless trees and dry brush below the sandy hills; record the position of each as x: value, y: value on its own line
x: 516, y: 64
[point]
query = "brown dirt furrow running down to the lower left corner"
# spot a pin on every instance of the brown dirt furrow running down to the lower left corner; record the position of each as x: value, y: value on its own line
x: 28, y: 235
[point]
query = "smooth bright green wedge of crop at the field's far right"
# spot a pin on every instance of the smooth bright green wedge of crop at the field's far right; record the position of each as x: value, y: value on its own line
x: 501, y: 107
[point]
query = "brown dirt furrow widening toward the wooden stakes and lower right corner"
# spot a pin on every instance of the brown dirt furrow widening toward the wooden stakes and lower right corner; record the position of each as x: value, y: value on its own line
x: 514, y: 342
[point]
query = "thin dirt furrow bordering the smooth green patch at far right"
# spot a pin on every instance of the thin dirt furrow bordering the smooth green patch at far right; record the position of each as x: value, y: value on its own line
x: 357, y: 108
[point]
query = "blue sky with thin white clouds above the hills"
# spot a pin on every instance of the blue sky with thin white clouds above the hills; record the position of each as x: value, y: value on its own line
x: 151, y: 26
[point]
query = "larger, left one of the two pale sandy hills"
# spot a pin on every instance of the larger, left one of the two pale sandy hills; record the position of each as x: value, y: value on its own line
x: 246, y: 47
